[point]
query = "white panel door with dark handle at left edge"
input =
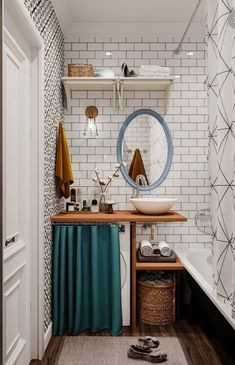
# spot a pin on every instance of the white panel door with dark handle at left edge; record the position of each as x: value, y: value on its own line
x: 16, y: 193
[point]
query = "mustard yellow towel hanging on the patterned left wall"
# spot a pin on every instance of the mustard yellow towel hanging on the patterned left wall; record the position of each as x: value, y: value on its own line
x: 63, y: 173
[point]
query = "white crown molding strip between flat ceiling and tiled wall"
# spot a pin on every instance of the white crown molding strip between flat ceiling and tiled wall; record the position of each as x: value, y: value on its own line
x: 138, y: 29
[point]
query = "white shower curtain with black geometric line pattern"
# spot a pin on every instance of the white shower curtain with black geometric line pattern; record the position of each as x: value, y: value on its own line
x: 220, y: 38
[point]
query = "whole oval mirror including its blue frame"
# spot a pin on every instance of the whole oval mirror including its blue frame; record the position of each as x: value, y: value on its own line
x: 145, y: 145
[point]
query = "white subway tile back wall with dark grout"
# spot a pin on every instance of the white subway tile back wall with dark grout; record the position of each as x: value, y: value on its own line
x: 186, y: 117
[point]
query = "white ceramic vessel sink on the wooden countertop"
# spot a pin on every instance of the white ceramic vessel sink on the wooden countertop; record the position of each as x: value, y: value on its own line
x: 153, y: 205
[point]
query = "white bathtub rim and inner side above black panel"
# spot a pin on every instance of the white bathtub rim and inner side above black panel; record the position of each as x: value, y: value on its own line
x: 198, y: 263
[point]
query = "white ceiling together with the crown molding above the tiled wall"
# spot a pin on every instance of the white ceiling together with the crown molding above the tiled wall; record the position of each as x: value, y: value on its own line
x: 73, y: 14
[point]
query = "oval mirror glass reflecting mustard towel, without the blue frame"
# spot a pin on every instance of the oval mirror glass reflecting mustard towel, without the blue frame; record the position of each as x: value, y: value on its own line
x: 145, y: 148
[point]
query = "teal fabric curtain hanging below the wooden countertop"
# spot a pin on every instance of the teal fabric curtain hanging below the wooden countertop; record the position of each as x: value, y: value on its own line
x: 86, y: 279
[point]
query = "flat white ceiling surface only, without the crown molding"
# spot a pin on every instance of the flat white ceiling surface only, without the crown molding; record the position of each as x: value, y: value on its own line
x: 133, y: 10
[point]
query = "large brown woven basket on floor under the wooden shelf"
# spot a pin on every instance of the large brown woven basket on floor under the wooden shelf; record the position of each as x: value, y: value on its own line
x: 156, y: 303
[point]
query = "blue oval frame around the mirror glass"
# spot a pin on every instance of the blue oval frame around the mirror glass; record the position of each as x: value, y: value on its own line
x: 120, y: 141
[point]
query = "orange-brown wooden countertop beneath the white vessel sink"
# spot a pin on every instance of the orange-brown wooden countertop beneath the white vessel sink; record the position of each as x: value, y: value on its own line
x: 117, y: 216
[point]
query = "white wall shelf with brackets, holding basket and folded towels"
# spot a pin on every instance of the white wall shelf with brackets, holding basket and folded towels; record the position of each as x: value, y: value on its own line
x: 117, y: 85
